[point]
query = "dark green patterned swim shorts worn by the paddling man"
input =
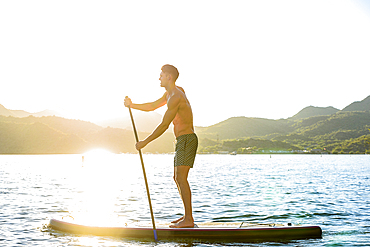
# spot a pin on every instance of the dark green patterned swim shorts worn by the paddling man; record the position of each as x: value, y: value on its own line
x: 186, y: 149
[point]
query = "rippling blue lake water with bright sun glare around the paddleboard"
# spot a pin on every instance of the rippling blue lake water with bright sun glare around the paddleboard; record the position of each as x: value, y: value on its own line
x: 332, y: 191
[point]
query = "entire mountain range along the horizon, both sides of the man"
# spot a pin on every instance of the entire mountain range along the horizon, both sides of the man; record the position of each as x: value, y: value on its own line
x: 346, y: 131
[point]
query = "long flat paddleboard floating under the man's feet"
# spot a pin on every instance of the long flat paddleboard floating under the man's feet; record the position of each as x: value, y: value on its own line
x: 235, y: 232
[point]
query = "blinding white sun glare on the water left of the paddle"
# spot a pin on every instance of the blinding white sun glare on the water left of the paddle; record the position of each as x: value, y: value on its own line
x: 100, y: 186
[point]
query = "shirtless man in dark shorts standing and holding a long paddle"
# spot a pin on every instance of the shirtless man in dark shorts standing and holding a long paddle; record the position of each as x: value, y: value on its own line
x: 179, y: 112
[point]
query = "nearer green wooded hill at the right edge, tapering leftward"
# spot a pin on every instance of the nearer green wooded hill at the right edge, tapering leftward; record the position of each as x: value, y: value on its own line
x: 335, y: 133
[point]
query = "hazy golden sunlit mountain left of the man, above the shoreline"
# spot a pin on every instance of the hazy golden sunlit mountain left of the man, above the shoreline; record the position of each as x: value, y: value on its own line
x: 56, y: 135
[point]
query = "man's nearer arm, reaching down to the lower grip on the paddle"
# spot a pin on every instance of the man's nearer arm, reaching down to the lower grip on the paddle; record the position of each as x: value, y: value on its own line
x: 173, y: 106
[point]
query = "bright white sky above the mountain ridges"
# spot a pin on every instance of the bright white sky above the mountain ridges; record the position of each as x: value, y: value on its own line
x: 260, y: 58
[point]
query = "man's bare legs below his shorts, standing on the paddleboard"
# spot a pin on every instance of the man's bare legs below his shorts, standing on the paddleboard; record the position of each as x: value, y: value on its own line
x: 181, y: 179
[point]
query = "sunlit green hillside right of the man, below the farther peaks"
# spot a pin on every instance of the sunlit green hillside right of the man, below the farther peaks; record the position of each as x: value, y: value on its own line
x: 343, y: 132
